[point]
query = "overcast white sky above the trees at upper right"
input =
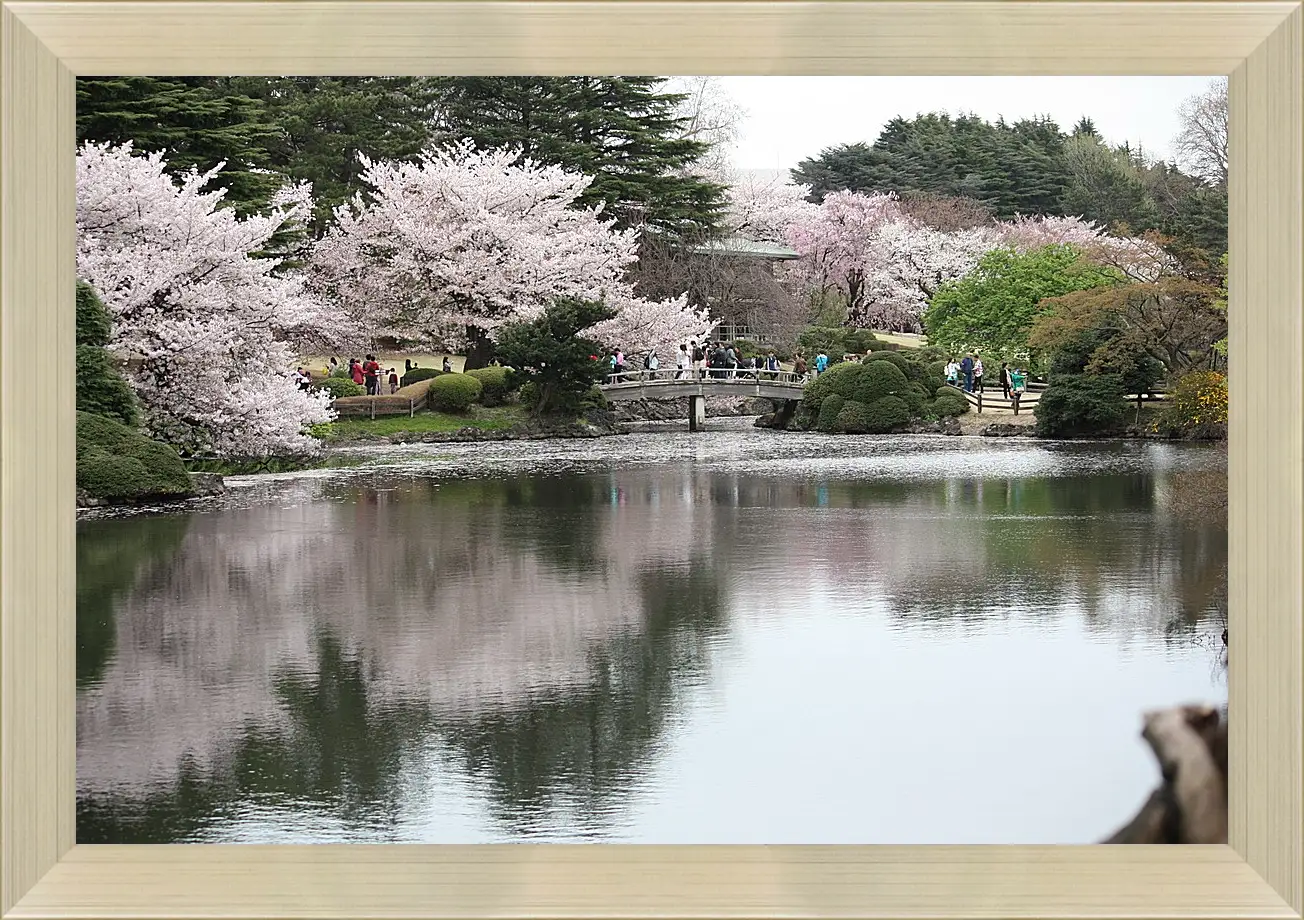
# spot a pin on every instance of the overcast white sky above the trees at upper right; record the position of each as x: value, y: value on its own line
x: 791, y: 119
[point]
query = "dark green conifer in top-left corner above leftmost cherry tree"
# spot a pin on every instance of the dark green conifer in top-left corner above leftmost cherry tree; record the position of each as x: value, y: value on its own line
x: 198, y: 123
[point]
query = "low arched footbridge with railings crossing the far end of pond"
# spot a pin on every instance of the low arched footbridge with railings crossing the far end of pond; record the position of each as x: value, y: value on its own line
x: 783, y: 386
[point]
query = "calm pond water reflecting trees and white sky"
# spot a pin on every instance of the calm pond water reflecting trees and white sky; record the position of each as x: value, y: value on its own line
x: 737, y: 637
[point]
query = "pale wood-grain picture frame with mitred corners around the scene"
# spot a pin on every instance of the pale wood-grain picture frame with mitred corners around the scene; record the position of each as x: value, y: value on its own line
x: 45, y: 46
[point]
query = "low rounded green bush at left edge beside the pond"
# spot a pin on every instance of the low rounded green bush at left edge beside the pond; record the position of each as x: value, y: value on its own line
x: 115, y: 462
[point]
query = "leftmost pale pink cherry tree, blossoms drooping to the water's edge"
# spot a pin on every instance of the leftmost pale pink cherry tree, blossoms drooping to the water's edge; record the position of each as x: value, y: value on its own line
x: 204, y: 324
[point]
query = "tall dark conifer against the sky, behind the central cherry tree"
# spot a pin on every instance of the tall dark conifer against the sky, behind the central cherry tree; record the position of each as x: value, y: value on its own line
x: 621, y: 131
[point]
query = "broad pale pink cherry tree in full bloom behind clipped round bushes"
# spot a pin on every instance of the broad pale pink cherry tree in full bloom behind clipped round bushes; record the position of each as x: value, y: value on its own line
x: 460, y: 243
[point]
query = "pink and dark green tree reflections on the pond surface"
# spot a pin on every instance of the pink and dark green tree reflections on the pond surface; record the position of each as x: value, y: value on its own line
x: 543, y: 630
